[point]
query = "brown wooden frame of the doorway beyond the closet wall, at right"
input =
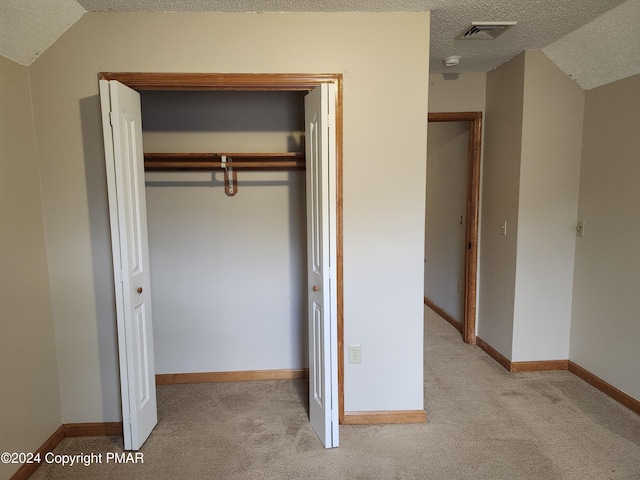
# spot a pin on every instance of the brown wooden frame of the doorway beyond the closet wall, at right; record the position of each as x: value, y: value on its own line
x: 473, y: 214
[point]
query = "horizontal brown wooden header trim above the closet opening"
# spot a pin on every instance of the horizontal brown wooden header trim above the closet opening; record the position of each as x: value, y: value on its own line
x: 220, y: 81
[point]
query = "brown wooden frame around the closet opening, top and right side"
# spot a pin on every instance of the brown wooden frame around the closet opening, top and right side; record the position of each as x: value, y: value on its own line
x: 263, y: 82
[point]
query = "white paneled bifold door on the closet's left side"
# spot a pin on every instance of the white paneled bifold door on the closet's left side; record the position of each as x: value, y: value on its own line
x: 122, y: 129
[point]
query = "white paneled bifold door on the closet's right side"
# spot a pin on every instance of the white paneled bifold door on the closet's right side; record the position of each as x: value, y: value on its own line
x: 321, y: 262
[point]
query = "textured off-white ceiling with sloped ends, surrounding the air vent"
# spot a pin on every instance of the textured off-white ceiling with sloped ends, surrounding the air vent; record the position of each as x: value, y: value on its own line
x: 563, y: 29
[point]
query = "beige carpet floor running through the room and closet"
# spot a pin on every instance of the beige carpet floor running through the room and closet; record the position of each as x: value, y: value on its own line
x: 484, y: 423
